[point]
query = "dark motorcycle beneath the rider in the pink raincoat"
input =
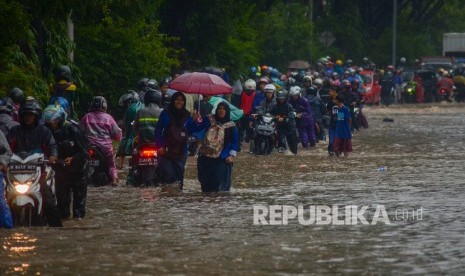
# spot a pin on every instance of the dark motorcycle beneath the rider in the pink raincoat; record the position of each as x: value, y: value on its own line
x: 97, y: 173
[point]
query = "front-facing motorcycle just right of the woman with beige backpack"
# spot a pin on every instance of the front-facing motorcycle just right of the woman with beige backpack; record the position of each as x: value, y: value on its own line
x: 264, y: 135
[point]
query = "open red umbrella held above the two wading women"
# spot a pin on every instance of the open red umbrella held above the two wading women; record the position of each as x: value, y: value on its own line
x: 200, y: 83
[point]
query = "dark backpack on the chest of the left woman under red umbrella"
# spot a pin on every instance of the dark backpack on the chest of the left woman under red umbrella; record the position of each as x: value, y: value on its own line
x: 176, y: 140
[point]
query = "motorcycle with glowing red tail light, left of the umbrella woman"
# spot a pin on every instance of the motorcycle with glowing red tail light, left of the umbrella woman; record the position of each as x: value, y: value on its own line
x: 144, y: 164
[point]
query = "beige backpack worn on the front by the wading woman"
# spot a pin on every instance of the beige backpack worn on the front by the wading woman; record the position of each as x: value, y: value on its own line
x: 213, y: 143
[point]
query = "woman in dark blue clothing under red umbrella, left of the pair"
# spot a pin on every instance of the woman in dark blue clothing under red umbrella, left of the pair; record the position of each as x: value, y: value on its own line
x: 171, y: 132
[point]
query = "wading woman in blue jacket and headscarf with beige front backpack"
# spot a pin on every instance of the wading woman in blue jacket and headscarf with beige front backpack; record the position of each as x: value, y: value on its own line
x: 218, y: 150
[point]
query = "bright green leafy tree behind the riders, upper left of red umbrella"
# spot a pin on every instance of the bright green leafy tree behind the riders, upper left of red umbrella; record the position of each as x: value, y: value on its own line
x: 113, y: 55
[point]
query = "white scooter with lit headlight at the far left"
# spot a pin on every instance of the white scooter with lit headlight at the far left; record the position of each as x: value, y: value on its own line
x: 26, y: 172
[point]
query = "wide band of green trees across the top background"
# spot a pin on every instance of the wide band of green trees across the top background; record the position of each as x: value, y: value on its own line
x: 120, y: 41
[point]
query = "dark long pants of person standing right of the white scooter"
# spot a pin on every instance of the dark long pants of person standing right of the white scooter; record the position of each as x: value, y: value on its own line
x: 67, y: 185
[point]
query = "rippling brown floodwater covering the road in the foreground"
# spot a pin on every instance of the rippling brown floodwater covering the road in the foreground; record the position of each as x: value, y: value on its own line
x: 144, y: 232
